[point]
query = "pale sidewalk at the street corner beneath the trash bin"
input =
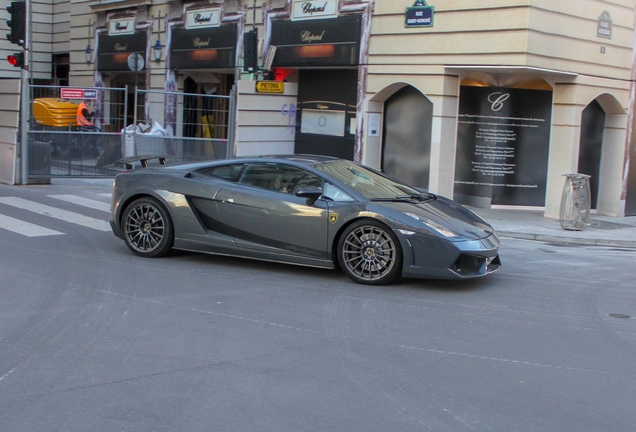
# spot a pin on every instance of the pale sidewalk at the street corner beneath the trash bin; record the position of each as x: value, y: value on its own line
x: 532, y: 225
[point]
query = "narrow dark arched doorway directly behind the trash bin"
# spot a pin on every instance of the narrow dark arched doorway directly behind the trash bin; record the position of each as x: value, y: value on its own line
x: 591, y: 146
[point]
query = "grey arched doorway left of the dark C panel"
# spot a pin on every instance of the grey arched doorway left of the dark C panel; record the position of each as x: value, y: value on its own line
x: 406, y: 147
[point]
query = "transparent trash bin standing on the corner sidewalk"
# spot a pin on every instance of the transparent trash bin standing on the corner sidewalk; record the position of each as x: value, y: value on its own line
x: 575, y: 202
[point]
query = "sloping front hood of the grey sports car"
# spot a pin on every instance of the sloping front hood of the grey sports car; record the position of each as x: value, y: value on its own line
x: 448, y: 214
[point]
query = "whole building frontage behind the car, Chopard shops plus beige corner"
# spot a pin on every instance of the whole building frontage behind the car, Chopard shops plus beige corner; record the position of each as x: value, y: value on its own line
x: 489, y: 102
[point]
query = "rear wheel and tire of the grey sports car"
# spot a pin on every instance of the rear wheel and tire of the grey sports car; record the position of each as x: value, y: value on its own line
x: 147, y: 228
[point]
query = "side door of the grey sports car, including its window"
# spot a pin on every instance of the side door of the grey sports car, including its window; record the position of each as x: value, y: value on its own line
x: 263, y: 213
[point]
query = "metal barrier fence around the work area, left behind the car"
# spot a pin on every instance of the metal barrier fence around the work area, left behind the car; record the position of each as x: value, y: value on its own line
x: 128, y: 122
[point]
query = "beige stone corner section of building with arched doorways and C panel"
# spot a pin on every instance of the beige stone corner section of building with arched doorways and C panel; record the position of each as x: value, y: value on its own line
x: 510, y: 96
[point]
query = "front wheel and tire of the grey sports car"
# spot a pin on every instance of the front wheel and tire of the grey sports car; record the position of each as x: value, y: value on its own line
x: 370, y: 253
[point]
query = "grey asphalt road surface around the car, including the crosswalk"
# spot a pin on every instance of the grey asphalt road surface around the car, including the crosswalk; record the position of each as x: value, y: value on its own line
x: 93, y: 338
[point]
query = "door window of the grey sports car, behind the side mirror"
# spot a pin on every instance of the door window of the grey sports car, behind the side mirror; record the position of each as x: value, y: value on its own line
x: 278, y: 177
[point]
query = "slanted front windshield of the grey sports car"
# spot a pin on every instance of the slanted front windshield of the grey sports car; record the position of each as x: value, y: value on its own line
x: 370, y: 184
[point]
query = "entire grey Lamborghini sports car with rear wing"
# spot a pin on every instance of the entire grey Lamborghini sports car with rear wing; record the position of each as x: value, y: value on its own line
x: 302, y: 209
